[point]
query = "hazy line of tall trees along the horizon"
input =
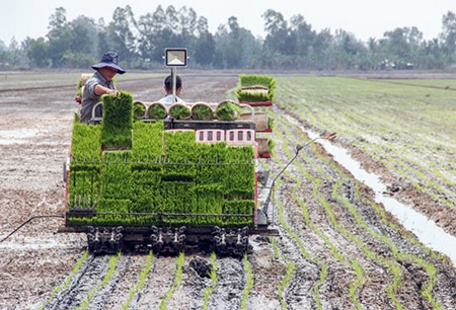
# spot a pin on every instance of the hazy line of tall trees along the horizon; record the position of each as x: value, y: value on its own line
x: 288, y: 44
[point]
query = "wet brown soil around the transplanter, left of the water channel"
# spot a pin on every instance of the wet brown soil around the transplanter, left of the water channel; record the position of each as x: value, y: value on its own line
x: 35, y: 260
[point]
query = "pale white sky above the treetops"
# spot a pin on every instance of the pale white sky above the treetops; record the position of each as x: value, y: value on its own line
x: 363, y: 18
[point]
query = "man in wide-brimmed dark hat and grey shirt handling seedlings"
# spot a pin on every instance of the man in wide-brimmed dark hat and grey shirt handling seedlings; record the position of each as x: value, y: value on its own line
x: 99, y: 84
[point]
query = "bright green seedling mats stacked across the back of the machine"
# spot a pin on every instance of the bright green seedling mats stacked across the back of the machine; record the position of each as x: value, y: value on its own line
x: 157, y: 177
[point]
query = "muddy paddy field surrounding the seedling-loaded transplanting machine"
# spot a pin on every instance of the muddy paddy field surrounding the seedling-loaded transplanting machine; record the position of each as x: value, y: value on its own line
x: 339, y: 246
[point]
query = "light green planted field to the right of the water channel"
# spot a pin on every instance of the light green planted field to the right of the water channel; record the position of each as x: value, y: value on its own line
x: 371, y: 119
